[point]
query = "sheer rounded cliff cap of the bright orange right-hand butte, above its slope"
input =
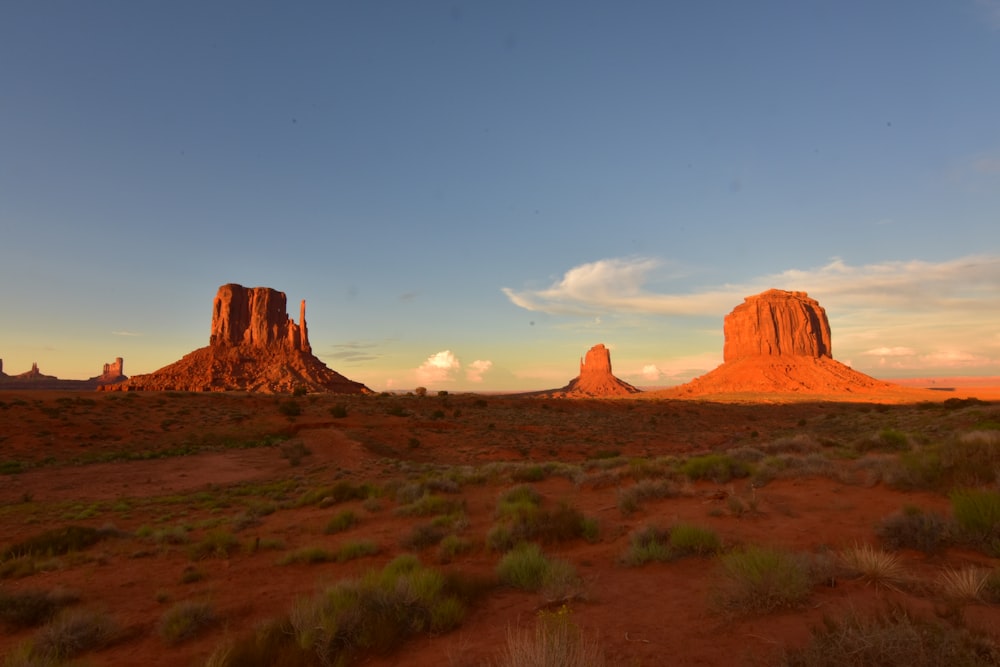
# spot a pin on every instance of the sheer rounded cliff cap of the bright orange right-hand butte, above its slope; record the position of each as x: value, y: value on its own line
x: 777, y: 323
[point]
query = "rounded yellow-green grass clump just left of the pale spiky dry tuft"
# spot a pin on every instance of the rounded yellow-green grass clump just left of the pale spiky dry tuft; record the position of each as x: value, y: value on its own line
x: 760, y: 579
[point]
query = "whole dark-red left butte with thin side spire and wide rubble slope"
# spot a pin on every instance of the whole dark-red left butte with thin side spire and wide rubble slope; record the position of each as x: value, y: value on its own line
x: 253, y: 346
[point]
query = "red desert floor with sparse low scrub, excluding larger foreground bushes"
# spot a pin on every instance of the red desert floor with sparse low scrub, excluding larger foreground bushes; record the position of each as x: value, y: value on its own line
x: 165, y: 474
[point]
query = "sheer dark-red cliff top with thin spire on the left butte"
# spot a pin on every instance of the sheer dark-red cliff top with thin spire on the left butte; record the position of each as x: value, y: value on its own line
x: 256, y: 317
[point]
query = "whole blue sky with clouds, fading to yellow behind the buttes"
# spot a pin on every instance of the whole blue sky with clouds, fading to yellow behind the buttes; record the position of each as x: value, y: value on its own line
x: 469, y: 195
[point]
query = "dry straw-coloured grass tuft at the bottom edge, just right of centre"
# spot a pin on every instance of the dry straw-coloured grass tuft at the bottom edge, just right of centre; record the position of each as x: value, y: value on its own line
x: 554, y: 641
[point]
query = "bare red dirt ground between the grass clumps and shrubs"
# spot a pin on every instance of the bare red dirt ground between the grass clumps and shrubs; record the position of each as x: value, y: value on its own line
x: 69, y: 448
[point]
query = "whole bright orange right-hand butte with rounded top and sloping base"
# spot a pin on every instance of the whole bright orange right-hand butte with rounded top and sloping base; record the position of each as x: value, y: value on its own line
x: 778, y: 342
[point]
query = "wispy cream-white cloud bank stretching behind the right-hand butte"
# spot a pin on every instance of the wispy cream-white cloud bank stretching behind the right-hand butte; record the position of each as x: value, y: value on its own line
x: 911, y: 314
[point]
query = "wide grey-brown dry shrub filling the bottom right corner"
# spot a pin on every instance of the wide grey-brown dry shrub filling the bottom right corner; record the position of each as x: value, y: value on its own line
x: 892, y: 638
